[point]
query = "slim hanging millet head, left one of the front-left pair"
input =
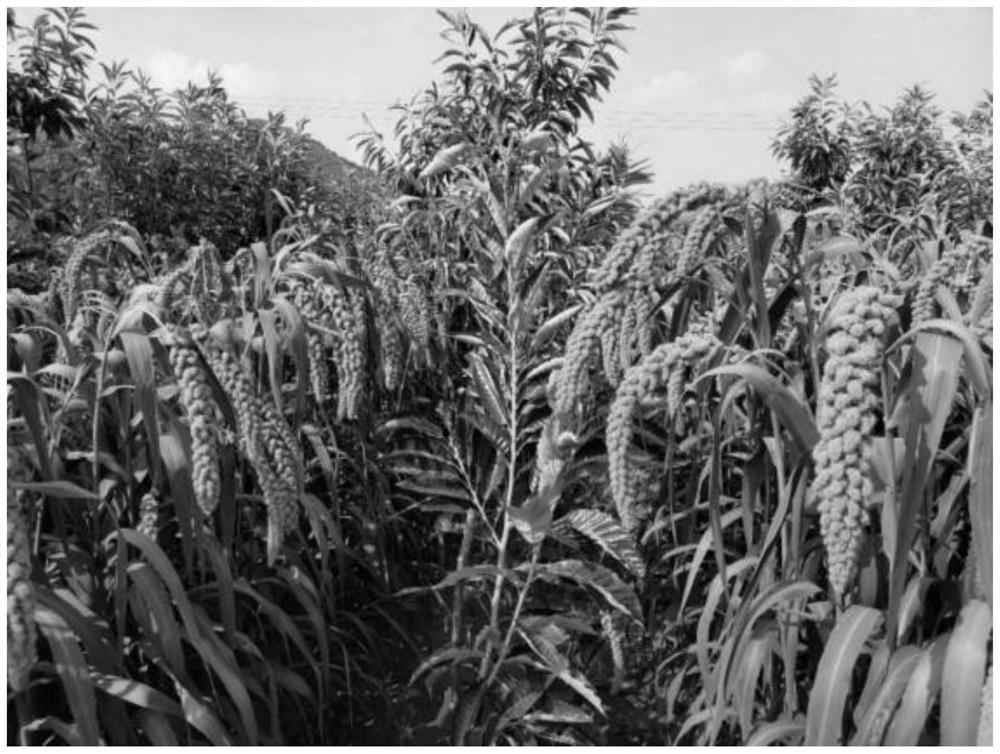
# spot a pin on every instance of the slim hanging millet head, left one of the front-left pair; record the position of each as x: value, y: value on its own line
x: 199, y: 405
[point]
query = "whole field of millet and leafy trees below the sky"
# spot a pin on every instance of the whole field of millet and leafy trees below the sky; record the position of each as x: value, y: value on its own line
x: 472, y: 447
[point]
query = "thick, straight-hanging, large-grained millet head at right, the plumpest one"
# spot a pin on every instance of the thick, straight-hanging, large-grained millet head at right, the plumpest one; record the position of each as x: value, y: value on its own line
x: 845, y: 417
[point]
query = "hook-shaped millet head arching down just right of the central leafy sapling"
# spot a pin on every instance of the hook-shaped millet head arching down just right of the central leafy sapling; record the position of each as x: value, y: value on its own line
x: 641, y: 380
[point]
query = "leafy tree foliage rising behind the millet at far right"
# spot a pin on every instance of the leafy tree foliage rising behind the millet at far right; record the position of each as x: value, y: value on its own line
x: 897, y: 171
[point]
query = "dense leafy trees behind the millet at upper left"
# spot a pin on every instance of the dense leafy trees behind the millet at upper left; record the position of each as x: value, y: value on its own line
x: 179, y: 167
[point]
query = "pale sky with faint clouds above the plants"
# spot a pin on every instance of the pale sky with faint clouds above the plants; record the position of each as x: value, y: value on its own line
x: 699, y: 93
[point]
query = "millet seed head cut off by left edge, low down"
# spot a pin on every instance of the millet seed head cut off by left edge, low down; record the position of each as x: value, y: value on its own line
x: 21, y: 630
